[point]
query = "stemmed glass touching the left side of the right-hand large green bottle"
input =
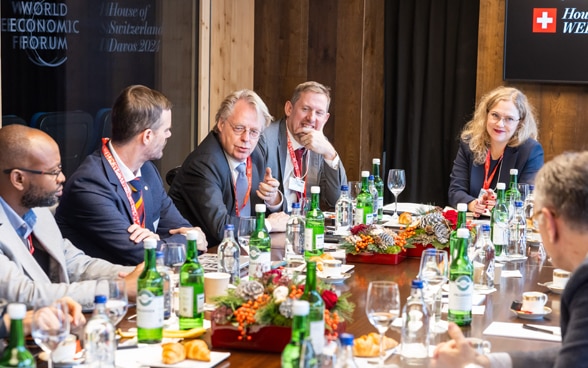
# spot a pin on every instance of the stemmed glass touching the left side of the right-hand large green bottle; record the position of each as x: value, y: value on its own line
x: 435, y: 271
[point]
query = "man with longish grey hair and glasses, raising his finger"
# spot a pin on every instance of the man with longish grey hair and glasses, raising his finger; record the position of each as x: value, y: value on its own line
x: 206, y: 189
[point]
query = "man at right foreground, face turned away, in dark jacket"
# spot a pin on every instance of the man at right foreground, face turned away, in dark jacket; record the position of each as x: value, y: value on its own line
x: 561, y: 213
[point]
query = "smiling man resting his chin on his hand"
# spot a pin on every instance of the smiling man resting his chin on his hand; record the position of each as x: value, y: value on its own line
x: 299, y: 154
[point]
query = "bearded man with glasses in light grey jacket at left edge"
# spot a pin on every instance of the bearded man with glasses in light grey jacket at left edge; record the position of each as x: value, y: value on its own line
x: 37, y: 265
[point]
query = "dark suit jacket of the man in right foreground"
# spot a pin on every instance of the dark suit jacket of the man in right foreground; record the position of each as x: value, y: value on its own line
x: 574, y: 329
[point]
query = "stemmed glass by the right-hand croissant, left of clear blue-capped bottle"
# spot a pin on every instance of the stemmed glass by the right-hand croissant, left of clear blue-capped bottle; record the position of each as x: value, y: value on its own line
x: 382, y: 308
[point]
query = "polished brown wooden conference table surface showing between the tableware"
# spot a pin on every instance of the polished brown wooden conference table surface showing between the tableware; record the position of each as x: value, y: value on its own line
x: 497, y: 305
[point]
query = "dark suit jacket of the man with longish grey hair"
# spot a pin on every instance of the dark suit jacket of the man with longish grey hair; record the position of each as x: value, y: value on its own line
x: 203, y: 188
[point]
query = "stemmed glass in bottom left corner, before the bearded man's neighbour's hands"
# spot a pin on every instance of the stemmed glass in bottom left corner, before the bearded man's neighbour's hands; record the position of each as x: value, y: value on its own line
x: 50, y: 326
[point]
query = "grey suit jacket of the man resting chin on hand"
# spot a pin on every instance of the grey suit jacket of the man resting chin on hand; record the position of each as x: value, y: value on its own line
x: 275, y: 137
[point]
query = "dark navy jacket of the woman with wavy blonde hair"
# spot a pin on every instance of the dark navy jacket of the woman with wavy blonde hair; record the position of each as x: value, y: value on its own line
x: 467, y: 178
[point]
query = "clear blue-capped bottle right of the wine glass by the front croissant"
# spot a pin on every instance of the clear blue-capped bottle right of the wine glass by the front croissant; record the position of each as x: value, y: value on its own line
x: 415, y: 327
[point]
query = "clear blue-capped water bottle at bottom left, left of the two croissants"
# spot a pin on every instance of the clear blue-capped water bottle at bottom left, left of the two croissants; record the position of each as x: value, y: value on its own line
x: 99, y: 337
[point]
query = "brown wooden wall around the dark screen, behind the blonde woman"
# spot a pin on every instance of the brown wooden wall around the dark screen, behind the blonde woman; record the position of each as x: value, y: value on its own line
x: 562, y: 109
